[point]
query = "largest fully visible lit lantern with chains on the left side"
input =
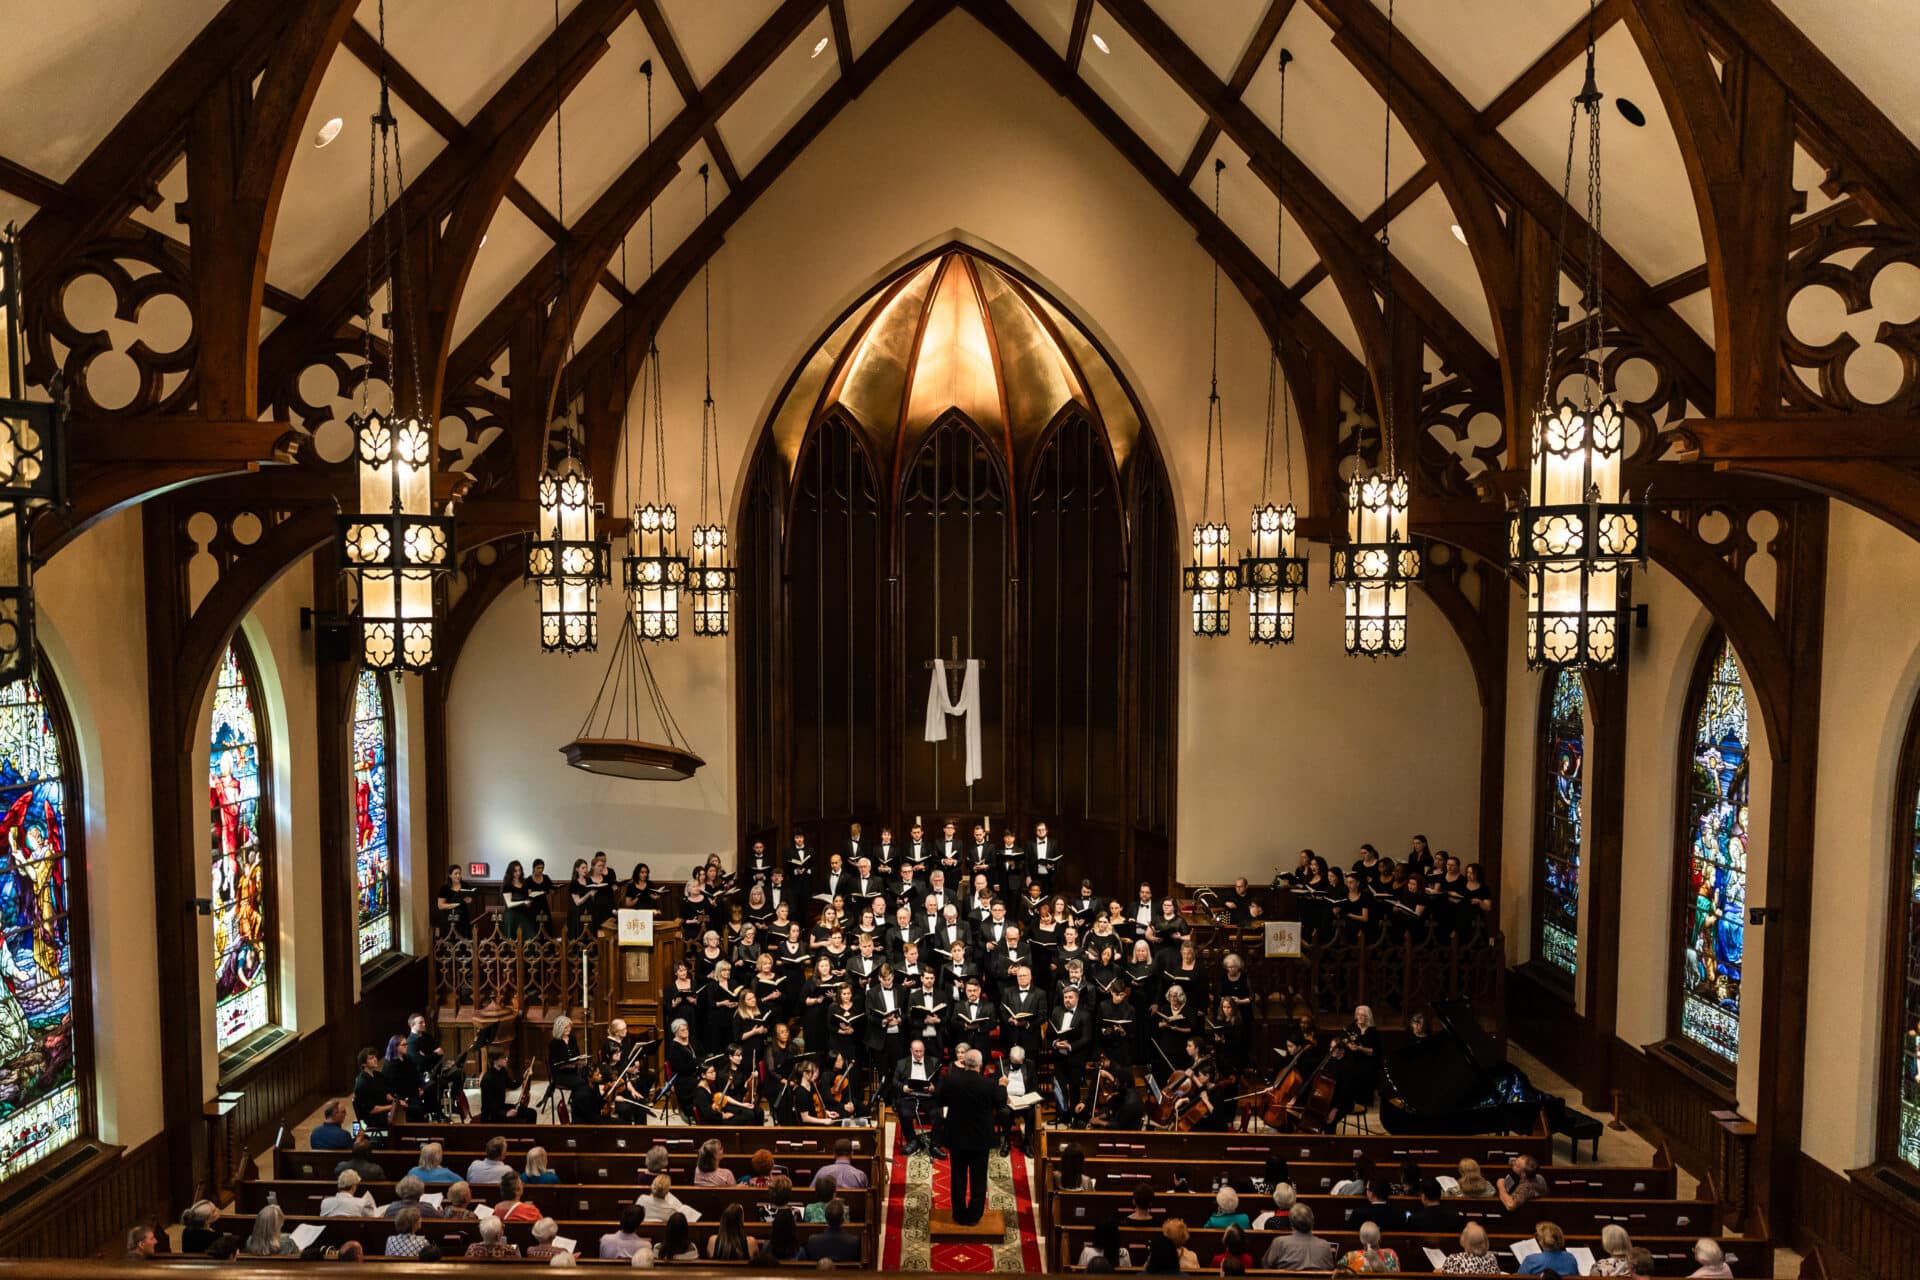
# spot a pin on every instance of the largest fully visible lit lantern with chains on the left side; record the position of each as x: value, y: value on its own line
x: 396, y: 552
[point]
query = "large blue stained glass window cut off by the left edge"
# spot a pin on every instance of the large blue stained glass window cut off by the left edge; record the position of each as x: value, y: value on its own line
x: 39, y: 1089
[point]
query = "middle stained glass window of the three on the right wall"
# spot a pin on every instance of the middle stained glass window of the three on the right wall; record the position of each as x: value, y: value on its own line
x: 1716, y: 891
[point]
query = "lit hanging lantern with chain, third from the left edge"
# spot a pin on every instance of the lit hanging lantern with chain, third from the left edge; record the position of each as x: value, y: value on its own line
x: 565, y: 561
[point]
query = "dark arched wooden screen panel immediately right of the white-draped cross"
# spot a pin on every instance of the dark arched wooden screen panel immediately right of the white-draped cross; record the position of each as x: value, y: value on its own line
x: 1072, y: 592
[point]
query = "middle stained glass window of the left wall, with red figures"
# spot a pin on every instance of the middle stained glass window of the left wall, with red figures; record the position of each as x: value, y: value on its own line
x: 243, y: 964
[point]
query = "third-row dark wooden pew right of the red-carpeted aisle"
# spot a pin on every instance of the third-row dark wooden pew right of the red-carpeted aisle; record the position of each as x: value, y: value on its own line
x: 1577, y: 1218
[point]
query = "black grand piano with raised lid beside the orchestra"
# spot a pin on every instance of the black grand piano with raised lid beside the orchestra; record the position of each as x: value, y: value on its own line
x: 1458, y: 1081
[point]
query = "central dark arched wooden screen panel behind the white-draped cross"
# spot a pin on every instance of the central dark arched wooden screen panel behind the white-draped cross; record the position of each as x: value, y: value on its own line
x: 955, y: 592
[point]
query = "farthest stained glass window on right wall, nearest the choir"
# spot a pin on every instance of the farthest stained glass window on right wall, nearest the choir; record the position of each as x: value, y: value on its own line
x: 1558, y: 866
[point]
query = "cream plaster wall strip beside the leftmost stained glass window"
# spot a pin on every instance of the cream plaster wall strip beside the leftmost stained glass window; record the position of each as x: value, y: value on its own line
x: 103, y: 675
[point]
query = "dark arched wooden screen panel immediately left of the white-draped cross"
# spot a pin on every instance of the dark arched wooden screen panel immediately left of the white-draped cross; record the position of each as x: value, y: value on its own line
x: 836, y: 628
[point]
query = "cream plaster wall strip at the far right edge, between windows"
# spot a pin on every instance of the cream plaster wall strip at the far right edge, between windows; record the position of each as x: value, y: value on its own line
x: 1869, y: 680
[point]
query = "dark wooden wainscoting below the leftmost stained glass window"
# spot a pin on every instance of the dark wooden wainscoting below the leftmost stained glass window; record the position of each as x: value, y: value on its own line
x: 91, y: 1210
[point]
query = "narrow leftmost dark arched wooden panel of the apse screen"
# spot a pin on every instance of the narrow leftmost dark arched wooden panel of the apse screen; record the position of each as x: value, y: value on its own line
x: 757, y: 628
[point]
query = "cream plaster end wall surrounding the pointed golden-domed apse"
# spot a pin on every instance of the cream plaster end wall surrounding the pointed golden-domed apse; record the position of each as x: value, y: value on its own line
x: 963, y: 139
